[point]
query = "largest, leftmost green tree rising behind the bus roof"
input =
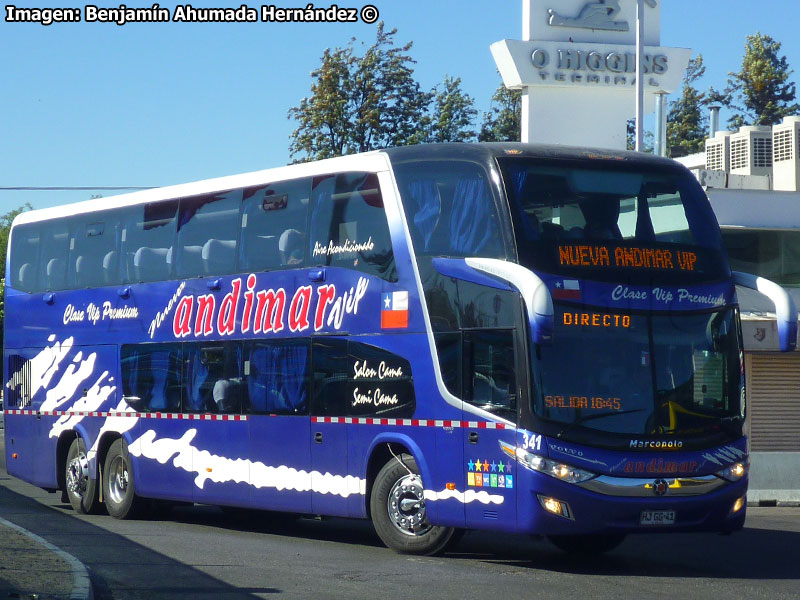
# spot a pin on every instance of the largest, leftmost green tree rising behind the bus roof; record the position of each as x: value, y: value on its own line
x: 360, y: 103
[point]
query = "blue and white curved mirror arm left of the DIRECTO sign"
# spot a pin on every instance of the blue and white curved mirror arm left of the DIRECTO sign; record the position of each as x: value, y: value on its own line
x: 538, y: 302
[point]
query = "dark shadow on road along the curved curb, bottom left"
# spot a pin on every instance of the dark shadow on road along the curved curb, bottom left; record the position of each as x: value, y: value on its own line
x: 117, y: 566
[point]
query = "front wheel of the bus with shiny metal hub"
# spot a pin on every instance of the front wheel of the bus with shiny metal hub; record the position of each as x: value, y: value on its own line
x: 397, y: 507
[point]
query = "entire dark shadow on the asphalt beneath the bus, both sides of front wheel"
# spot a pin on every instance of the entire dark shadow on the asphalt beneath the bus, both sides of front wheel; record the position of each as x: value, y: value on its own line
x: 752, y: 553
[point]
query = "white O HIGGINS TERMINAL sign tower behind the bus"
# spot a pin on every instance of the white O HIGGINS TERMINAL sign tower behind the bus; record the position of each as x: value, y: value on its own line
x: 576, y: 66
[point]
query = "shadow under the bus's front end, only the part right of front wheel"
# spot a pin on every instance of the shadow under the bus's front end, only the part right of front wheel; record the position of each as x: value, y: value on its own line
x: 749, y: 554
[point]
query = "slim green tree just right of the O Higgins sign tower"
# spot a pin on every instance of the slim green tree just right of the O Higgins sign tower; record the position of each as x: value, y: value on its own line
x: 687, y: 123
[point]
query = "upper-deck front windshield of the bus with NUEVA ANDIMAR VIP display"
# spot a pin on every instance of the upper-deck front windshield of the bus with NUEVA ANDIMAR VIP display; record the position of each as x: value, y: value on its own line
x: 612, y: 223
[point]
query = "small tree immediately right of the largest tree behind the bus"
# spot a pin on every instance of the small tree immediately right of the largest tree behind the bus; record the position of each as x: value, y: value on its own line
x: 453, y: 113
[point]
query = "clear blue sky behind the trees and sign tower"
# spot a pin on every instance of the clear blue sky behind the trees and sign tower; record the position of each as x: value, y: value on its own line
x: 96, y: 104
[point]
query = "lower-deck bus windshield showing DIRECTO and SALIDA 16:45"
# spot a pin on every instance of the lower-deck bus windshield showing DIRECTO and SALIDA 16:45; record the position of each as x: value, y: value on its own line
x: 658, y: 374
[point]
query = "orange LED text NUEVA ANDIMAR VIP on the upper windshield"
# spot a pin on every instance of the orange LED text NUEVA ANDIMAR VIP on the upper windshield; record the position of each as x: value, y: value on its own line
x: 602, y: 256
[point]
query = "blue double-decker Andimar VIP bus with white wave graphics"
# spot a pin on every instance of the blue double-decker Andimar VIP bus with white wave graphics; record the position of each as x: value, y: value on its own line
x: 531, y: 339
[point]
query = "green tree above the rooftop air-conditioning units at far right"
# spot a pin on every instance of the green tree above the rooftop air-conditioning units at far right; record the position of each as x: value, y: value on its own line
x: 761, y: 93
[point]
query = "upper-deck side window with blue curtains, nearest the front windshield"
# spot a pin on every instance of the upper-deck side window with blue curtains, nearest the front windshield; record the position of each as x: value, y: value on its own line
x: 450, y: 209
